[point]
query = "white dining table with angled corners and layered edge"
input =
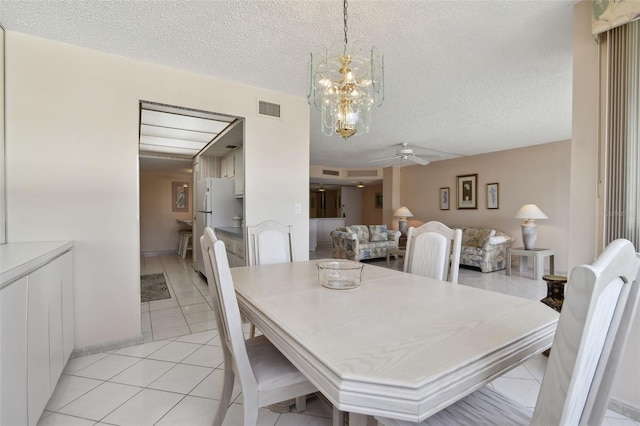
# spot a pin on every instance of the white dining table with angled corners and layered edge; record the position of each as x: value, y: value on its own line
x: 400, y: 345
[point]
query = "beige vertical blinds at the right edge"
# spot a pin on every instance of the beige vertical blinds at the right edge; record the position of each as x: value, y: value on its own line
x: 622, y: 173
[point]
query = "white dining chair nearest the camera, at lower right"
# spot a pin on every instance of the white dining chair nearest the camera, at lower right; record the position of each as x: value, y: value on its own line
x: 598, y: 310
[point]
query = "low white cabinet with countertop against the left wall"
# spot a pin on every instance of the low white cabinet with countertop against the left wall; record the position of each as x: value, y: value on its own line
x: 37, y: 331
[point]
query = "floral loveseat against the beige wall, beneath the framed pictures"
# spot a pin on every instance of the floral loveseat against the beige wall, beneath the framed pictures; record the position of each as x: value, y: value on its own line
x: 484, y: 248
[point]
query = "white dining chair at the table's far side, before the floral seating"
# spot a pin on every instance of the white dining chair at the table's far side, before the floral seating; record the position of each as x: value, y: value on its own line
x: 433, y: 250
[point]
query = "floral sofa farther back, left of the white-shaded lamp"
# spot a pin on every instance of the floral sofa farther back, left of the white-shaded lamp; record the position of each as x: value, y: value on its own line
x: 357, y: 242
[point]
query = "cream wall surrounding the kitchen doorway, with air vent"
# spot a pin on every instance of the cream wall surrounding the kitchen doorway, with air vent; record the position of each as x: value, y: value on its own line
x: 72, y: 164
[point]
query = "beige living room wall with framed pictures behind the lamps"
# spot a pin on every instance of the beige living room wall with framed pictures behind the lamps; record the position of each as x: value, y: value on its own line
x: 537, y: 174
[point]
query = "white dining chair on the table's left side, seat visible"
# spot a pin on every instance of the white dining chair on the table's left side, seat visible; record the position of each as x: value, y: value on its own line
x: 265, y: 375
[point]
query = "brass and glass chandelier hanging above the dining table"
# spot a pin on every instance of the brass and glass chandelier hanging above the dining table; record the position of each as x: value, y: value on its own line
x: 346, y: 81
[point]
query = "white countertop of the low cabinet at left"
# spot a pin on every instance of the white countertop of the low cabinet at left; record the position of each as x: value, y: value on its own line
x: 20, y: 259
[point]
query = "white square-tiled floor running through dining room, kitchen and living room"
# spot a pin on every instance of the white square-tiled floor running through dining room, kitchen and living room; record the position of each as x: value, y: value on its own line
x: 175, y: 377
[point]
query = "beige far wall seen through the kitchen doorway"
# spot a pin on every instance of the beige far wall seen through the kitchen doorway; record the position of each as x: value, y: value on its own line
x: 159, y: 224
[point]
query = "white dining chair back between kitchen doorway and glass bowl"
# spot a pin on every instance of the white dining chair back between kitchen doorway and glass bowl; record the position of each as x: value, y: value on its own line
x: 270, y: 242
